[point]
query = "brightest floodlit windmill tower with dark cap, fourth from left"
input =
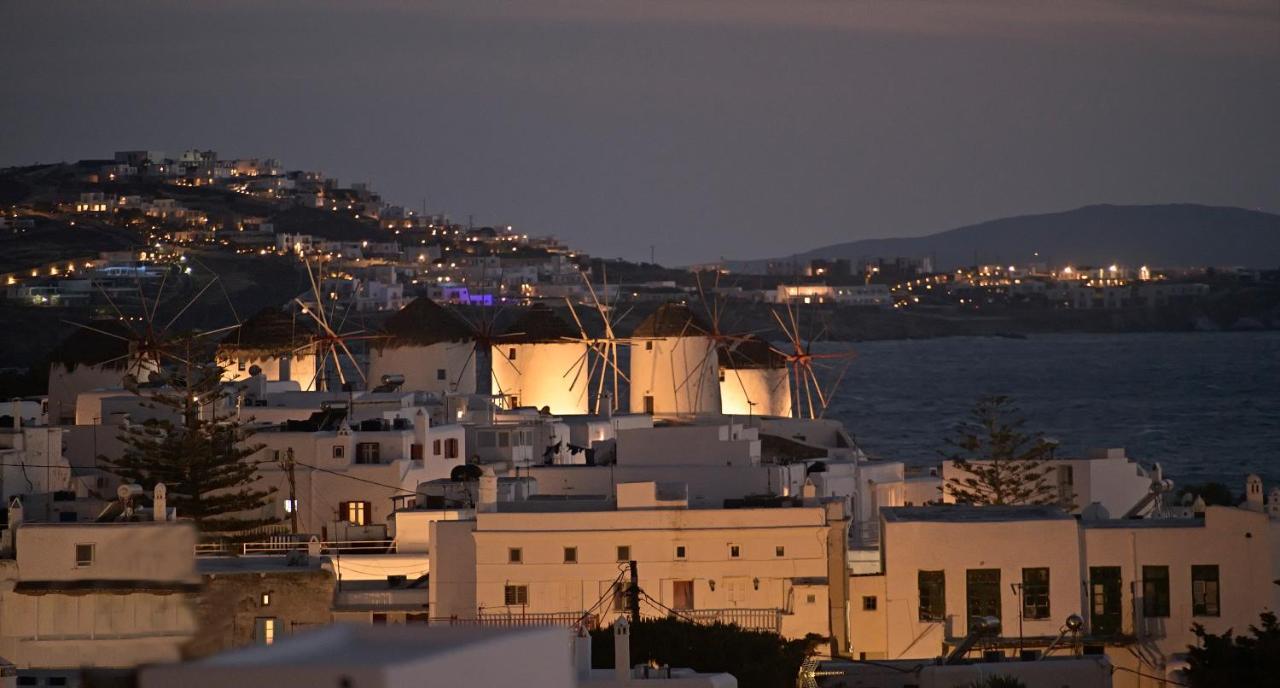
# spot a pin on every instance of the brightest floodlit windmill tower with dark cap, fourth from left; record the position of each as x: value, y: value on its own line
x: 538, y: 347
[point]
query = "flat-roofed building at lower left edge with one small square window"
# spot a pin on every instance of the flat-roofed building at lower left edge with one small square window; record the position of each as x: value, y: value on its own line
x: 80, y: 597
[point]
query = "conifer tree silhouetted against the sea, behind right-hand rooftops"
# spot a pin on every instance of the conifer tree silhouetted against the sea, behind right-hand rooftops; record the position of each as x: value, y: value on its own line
x: 999, y: 462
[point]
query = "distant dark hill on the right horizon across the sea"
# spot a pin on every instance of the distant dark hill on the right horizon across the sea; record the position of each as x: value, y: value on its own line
x: 1169, y: 236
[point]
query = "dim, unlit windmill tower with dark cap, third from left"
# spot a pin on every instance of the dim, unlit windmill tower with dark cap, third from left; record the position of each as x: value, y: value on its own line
x: 431, y: 346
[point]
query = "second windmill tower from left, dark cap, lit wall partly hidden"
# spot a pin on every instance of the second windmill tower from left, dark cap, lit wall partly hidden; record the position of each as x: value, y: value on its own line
x: 281, y: 345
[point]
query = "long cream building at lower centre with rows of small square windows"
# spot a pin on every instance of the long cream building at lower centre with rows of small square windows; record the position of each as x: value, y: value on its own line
x: 781, y: 568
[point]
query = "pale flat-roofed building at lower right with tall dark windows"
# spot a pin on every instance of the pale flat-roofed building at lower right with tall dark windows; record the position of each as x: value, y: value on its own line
x: 1139, y: 585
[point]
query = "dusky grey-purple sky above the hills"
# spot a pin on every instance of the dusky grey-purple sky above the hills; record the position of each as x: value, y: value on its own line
x: 696, y: 130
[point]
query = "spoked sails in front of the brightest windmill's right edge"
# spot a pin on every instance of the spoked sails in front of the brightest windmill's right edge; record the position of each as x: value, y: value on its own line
x: 600, y: 360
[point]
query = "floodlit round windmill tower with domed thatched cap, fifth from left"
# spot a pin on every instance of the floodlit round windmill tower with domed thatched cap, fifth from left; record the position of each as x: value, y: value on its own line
x: 675, y: 370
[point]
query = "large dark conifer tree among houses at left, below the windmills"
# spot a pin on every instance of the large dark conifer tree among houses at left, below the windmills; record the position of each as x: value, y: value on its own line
x: 203, y: 460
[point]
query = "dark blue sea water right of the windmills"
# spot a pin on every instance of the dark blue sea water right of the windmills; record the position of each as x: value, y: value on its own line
x: 1204, y: 405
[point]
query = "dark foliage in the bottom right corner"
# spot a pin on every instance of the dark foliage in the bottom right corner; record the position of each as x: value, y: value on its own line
x: 1229, y: 662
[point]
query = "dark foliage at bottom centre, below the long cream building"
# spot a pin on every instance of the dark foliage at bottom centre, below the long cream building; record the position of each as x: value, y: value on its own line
x: 758, y: 659
